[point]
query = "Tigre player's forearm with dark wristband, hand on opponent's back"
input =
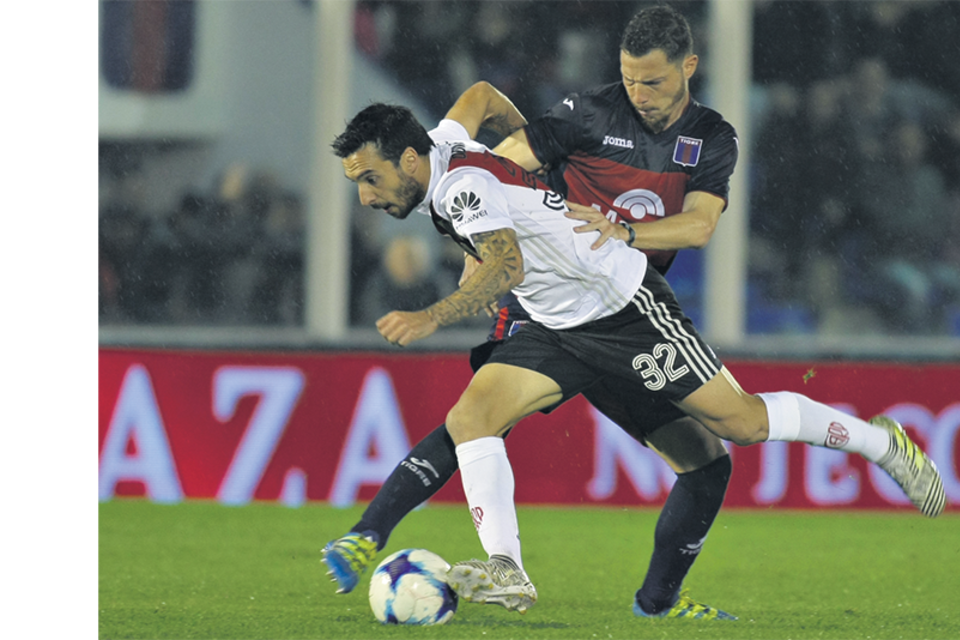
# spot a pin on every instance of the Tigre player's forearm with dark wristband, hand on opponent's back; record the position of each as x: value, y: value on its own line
x: 692, y: 228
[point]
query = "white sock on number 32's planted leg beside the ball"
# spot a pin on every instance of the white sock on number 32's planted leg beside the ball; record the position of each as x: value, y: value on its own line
x: 488, y: 484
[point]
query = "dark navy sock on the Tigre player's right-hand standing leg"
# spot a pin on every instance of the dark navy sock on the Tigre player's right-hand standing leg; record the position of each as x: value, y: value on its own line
x: 684, y: 522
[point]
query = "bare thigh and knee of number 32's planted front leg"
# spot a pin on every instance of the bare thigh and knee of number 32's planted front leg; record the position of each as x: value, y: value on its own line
x: 498, y: 396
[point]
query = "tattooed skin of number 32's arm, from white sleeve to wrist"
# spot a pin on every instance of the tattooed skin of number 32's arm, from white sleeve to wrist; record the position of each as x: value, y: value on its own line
x: 502, y: 269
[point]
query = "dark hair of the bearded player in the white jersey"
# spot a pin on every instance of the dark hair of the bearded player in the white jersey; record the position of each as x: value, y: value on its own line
x: 390, y: 127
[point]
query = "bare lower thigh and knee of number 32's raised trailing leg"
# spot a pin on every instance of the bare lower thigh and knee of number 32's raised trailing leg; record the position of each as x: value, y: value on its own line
x: 727, y: 410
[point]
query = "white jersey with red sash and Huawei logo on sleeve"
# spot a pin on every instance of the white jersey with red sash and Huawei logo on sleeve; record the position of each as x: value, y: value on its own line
x: 566, y: 283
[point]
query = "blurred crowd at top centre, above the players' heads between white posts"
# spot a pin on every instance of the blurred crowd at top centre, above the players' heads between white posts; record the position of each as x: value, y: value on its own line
x: 534, y: 53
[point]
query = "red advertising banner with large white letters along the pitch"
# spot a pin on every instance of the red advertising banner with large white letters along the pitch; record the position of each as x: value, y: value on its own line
x: 237, y: 426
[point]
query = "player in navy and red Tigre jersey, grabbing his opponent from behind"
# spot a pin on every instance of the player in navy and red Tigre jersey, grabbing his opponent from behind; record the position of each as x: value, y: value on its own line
x: 642, y: 140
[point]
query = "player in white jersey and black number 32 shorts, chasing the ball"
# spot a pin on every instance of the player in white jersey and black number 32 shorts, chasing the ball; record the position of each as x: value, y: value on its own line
x: 598, y: 312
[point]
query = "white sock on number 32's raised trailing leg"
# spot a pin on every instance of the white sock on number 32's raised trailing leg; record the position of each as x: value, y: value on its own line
x: 796, y: 418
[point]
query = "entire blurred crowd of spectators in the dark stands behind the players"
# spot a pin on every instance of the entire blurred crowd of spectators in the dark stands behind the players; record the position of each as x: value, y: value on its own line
x: 854, y: 169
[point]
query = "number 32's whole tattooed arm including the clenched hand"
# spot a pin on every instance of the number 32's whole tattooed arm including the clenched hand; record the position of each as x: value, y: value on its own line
x: 501, y: 271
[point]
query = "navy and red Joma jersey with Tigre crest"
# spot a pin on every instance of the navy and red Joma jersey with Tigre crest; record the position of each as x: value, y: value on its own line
x: 595, y: 141
